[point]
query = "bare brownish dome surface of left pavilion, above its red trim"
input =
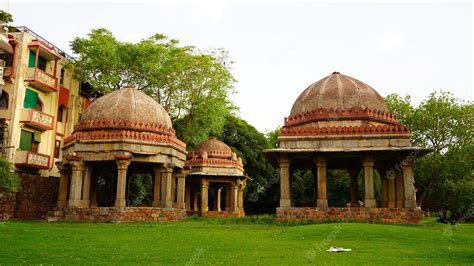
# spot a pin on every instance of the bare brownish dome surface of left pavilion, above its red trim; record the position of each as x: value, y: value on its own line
x: 128, y: 104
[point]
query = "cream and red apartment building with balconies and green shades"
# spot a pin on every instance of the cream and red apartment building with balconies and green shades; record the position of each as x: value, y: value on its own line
x: 40, y: 103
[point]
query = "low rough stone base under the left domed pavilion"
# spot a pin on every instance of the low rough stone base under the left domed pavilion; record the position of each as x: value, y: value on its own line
x: 117, y: 215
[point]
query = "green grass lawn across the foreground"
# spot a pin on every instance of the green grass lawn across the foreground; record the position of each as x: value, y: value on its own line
x: 234, y: 241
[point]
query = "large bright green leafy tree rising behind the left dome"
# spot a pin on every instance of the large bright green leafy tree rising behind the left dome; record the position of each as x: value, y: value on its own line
x: 193, y: 86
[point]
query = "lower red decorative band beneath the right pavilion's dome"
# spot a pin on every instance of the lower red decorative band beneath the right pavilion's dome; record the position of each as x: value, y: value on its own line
x: 349, y: 130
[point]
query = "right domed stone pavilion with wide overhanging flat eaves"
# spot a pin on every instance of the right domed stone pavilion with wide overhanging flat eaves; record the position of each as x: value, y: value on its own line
x: 340, y: 122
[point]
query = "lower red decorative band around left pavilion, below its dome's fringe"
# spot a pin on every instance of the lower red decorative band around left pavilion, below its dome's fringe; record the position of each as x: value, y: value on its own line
x: 125, y: 134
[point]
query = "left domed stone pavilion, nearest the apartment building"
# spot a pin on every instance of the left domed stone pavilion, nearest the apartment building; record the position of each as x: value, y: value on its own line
x: 124, y: 140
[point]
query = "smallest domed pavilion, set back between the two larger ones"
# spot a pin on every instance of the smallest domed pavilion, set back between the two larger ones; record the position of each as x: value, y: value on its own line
x: 212, y: 164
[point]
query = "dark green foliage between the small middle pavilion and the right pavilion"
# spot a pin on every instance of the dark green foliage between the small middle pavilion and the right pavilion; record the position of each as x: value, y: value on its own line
x: 263, y: 185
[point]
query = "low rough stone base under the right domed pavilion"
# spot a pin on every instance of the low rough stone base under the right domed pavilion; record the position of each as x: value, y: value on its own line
x: 371, y: 215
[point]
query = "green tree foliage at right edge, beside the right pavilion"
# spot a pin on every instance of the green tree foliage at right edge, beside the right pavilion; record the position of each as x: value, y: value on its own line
x: 444, y: 177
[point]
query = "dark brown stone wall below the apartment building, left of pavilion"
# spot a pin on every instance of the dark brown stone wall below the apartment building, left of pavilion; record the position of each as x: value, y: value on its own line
x: 37, y: 196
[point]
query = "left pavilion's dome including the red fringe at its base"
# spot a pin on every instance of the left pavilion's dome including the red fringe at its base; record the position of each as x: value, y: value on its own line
x: 126, y: 108
